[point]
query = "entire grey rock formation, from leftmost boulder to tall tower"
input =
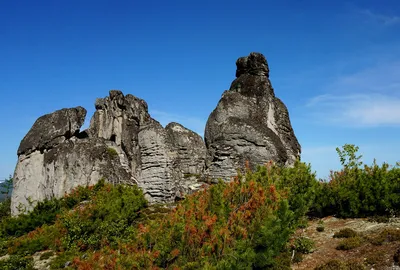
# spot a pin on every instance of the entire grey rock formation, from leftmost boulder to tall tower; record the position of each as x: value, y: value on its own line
x: 124, y: 144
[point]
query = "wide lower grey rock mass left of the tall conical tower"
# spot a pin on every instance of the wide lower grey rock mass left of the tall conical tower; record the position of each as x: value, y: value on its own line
x: 122, y: 145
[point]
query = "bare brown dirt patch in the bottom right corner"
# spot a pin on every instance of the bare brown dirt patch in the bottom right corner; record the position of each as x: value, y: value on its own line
x: 371, y: 256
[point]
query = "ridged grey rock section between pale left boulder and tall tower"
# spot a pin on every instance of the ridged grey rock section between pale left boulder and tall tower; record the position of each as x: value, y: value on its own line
x: 157, y: 161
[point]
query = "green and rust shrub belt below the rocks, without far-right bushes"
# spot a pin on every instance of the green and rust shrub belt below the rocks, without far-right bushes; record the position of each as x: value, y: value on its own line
x: 239, y: 225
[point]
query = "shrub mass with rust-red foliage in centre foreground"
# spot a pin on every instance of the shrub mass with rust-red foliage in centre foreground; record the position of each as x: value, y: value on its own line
x: 243, y: 224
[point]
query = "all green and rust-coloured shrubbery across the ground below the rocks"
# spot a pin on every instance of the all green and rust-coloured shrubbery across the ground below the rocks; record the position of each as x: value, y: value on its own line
x: 248, y: 223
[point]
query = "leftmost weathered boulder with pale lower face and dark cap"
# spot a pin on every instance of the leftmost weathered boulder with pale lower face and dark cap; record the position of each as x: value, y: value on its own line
x: 53, y: 163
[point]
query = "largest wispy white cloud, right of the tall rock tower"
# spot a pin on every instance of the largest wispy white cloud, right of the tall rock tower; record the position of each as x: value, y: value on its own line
x: 367, y: 98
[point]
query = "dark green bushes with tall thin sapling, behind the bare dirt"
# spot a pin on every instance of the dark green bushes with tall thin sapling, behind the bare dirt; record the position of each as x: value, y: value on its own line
x: 357, y: 191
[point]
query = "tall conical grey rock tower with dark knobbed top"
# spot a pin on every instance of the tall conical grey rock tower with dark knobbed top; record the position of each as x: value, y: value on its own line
x: 249, y: 123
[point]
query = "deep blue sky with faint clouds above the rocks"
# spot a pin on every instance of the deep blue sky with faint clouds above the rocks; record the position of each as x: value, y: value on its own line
x: 335, y: 64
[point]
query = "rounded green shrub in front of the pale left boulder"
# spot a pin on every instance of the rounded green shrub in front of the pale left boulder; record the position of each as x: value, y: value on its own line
x: 105, y: 220
